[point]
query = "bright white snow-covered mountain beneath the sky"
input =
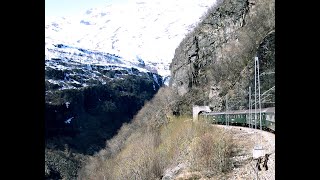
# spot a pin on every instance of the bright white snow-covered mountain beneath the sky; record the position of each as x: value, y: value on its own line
x: 139, y: 31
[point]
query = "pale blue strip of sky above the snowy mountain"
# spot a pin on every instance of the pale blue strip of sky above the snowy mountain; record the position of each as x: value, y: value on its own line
x: 59, y: 8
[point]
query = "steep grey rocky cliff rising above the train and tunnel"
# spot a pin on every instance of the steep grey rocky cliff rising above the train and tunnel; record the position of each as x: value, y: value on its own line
x: 217, y: 58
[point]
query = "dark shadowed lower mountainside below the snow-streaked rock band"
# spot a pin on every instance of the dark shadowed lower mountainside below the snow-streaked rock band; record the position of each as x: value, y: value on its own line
x: 90, y: 117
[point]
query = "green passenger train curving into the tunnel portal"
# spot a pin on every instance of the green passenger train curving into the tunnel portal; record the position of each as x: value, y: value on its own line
x: 242, y: 118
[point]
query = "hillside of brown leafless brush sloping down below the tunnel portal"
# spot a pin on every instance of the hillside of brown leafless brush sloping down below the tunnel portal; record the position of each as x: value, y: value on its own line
x: 156, y: 140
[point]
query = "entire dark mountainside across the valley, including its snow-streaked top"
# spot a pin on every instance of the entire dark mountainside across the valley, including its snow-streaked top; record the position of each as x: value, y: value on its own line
x: 89, y: 94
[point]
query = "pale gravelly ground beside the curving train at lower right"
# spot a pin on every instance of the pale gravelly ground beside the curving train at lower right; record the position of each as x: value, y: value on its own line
x: 244, y: 165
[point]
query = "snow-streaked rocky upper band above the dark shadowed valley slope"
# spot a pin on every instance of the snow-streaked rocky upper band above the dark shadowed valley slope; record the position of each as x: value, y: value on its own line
x: 70, y: 67
